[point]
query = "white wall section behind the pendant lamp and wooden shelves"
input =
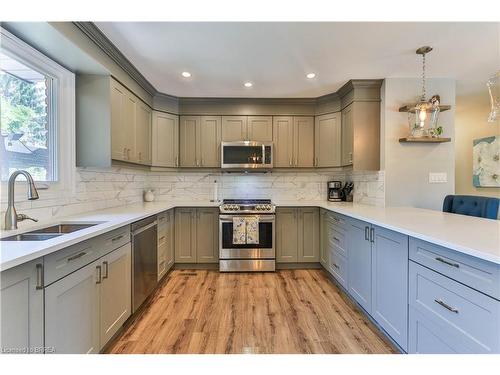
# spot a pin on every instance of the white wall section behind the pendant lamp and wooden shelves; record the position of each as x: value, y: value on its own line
x: 407, y: 166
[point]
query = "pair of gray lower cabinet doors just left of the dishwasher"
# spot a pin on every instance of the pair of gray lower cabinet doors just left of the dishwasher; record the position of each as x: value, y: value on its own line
x: 84, y: 309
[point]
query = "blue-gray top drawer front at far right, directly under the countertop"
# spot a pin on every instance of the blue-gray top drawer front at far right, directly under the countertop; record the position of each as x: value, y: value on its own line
x: 476, y: 273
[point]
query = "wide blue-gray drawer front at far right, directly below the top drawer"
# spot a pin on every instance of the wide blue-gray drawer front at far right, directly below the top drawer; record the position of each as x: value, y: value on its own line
x: 462, y: 317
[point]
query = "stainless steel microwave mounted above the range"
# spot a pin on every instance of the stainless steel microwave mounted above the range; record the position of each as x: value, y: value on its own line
x: 246, y: 155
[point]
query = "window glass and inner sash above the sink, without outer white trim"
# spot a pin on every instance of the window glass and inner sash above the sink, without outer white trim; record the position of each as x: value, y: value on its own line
x: 28, y: 134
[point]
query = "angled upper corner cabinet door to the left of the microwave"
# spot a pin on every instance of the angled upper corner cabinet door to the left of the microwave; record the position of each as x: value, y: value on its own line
x: 165, y: 140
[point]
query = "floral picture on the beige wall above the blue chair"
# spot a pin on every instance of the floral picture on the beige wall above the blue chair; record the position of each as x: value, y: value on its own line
x: 486, y: 163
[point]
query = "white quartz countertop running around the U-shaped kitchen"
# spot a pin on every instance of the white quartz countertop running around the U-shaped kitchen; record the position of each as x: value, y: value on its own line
x: 470, y: 235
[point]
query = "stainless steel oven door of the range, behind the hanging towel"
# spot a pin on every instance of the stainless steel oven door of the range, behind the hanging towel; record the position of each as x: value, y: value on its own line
x: 263, y: 250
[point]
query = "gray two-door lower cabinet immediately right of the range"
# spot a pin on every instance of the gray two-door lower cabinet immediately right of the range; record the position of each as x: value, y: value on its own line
x: 297, y: 235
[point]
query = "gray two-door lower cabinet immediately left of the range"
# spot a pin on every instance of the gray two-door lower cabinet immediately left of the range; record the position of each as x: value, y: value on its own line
x: 196, y: 235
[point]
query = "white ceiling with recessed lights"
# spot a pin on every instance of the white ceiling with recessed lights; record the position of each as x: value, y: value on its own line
x: 277, y: 56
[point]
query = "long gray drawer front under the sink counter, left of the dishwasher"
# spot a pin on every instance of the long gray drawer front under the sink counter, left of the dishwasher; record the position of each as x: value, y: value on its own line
x: 63, y: 262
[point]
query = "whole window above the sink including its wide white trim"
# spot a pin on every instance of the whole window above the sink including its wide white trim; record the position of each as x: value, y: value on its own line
x: 37, y: 117
